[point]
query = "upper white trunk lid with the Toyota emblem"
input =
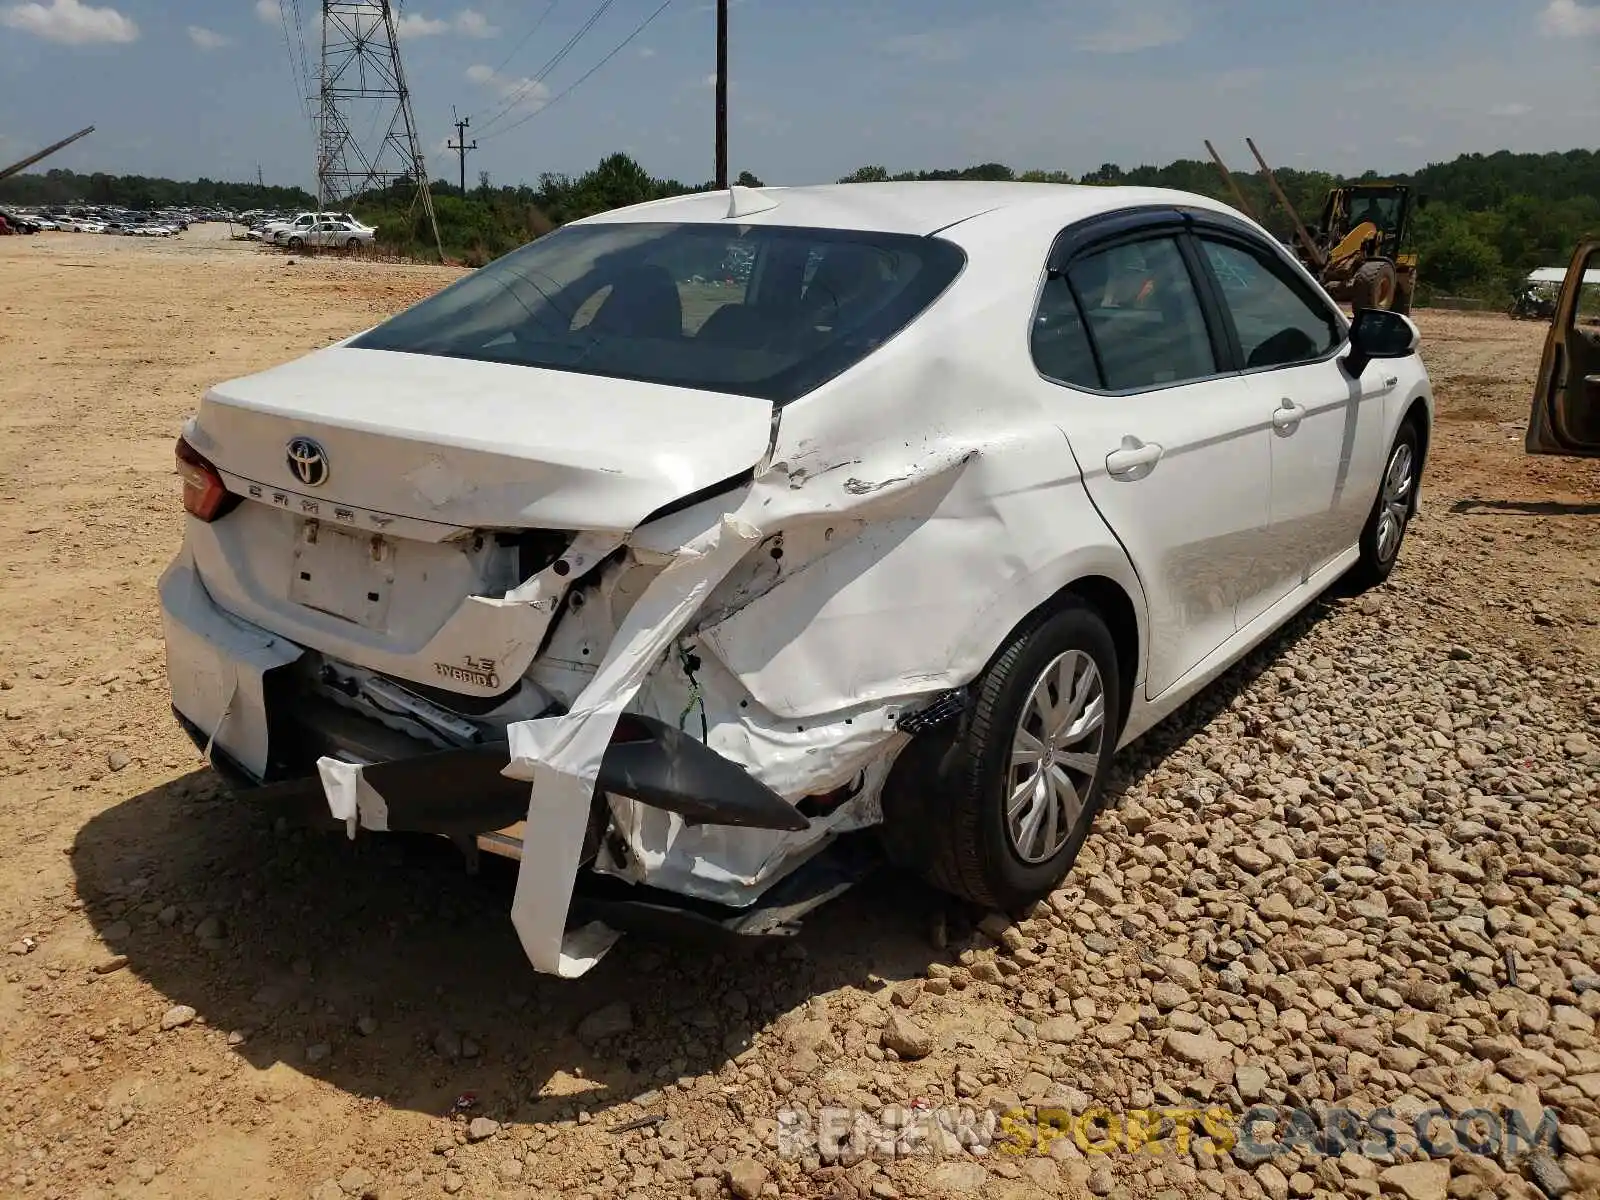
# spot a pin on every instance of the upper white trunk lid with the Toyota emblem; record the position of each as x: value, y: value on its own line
x: 478, y: 444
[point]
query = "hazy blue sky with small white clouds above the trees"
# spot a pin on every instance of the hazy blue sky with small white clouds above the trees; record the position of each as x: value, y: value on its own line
x: 820, y: 87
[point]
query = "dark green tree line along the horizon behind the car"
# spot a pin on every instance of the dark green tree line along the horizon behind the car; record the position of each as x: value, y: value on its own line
x: 1489, y: 222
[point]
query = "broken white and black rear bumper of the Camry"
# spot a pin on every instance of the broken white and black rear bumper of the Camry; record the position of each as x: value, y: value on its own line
x: 234, y: 695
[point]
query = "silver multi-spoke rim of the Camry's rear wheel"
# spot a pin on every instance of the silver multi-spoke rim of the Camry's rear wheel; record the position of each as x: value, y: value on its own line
x: 1055, y: 756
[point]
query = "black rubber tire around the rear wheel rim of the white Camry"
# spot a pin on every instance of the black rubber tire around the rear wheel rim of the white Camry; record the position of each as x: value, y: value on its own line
x: 964, y: 842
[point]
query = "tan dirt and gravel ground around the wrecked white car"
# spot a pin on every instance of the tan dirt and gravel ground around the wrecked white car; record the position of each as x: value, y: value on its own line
x: 1361, y: 873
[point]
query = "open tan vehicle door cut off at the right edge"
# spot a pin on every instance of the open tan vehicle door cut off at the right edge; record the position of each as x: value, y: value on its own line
x: 1566, y: 415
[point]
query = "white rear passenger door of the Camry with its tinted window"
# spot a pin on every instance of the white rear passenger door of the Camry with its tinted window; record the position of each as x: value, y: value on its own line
x: 1172, y: 444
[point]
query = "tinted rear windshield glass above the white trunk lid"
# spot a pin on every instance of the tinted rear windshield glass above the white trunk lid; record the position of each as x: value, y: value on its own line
x: 761, y: 311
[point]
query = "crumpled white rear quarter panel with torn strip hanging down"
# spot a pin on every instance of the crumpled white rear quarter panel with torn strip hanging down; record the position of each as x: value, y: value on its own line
x: 934, y: 553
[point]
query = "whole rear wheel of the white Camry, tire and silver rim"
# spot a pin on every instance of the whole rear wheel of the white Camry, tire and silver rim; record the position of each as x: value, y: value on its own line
x: 1015, y: 794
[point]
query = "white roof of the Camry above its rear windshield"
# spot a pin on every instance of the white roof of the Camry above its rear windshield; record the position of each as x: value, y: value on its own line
x: 918, y: 209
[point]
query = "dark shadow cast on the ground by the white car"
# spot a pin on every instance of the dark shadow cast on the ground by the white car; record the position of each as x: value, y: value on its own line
x: 385, y: 969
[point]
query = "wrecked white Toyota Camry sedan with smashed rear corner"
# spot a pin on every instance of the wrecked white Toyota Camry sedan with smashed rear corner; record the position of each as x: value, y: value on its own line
x: 670, y: 580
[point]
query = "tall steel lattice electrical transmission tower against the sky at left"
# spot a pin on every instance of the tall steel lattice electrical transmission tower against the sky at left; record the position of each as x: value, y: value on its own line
x: 362, y: 87
